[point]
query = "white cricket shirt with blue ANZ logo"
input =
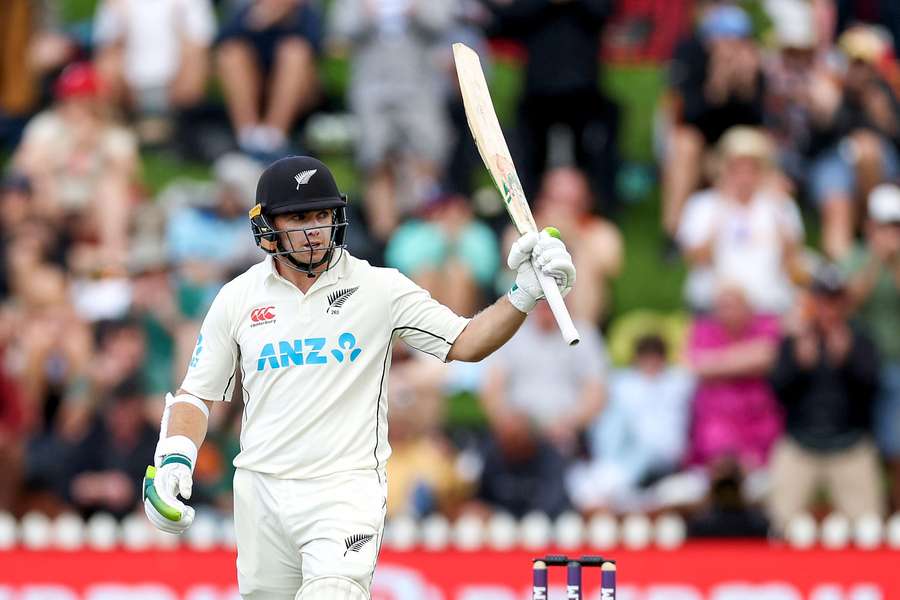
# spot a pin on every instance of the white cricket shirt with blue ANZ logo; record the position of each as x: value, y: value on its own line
x: 314, y: 366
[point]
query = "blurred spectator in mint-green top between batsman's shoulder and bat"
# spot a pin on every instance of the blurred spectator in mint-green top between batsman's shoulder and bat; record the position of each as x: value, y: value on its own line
x: 448, y: 252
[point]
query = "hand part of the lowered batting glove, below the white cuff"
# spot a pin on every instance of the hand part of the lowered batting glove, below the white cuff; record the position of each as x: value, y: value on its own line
x: 162, y: 485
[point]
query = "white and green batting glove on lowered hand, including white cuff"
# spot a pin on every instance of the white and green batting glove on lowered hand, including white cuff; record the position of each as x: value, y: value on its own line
x: 163, y: 484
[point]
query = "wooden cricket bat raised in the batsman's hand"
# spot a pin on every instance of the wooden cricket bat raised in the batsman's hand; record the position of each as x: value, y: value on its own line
x: 495, y: 154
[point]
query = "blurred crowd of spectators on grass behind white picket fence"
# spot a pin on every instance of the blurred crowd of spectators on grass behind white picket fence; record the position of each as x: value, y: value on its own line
x: 780, y: 119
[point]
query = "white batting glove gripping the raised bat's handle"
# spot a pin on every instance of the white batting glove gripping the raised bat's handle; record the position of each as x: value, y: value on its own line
x: 544, y: 251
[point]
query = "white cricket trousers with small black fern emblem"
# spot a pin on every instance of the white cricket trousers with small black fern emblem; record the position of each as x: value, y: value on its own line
x: 290, y: 530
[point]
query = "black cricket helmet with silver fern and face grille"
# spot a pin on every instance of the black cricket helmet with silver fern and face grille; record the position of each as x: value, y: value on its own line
x: 297, y: 184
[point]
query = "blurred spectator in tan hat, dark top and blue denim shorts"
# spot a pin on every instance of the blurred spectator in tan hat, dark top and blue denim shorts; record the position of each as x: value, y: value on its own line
x: 856, y: 132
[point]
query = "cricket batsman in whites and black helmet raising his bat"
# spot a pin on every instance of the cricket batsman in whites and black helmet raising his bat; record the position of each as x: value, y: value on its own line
x: 310, y: 329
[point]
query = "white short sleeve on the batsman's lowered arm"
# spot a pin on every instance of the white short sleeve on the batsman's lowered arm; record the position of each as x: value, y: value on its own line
x: 210, y: 373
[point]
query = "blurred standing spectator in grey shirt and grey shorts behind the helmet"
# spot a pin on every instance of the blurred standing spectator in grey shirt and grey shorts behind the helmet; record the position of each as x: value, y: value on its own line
x: 395, y: 92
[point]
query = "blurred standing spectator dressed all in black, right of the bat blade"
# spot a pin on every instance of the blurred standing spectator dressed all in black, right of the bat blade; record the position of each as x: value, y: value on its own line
x: 562, y: 41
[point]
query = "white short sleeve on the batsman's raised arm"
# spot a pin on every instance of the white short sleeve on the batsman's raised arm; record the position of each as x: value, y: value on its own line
x: 421, y: 321
